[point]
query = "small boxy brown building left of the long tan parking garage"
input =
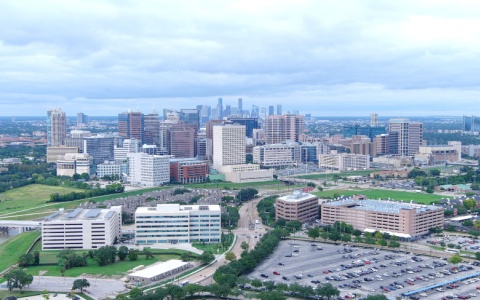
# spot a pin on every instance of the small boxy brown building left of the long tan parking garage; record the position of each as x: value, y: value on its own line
x: 298, y: 206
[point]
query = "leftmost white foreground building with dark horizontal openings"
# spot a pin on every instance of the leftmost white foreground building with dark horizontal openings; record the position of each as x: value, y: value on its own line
x: 81, y: 228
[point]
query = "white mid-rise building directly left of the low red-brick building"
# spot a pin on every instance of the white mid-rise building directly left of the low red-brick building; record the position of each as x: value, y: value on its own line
x: 148, y: 170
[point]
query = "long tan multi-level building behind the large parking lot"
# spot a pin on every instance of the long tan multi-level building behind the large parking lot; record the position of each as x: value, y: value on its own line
x: 406, y: 220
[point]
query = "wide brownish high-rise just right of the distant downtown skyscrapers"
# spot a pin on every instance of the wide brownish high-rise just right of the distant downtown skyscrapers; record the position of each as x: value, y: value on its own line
x: 282, y: 128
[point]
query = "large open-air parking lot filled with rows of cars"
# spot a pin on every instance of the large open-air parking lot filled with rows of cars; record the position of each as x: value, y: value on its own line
x: 361, y: 271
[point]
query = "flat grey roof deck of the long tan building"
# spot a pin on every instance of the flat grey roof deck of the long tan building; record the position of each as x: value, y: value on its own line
x: 381, y: 205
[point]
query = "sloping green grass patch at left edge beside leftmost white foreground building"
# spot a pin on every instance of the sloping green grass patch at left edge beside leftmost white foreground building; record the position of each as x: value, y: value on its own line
x: 11, y: 250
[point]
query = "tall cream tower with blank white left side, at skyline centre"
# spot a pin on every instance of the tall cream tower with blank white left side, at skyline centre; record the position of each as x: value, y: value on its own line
x: 229, y: 145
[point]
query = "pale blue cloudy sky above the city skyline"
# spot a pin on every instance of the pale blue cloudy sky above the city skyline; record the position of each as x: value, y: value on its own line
x: 351, y: 58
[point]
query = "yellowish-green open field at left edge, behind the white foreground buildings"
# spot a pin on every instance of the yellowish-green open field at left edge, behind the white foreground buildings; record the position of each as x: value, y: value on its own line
x: 29, y: 196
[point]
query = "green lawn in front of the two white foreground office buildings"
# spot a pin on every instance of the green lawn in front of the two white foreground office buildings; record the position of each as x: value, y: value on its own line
x: 117, y: 269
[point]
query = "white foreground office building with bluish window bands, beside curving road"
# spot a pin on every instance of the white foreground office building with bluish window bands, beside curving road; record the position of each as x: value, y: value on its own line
x: 175, y: 223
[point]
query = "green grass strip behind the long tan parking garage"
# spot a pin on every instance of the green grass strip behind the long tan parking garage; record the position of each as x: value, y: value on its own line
x: 383, y: 194
